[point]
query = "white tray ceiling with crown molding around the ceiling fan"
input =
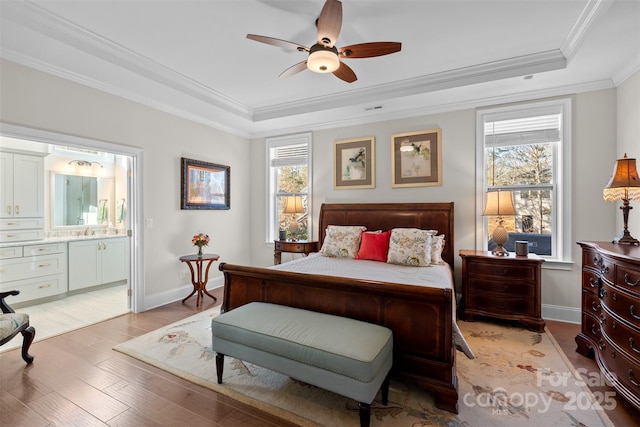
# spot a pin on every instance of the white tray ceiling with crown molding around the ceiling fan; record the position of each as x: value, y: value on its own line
x: 192, y: 58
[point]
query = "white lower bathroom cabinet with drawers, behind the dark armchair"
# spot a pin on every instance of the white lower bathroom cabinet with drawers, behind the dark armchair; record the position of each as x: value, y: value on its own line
x: 37, y: 271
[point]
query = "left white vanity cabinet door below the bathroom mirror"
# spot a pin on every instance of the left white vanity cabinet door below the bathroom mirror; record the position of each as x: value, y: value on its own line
x: 85, y: 264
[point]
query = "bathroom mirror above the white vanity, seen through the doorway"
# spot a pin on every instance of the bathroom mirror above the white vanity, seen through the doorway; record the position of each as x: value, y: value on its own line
x: 81, y: 200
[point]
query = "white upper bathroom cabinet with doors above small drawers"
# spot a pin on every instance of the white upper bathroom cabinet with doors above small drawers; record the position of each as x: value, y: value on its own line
x: 21, y: 197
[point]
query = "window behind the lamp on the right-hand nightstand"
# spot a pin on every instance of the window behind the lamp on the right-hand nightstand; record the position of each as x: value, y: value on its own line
x: 526, y: 149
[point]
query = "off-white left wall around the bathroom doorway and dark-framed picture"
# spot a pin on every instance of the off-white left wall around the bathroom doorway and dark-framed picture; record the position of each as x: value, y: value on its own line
x: 37, y: 100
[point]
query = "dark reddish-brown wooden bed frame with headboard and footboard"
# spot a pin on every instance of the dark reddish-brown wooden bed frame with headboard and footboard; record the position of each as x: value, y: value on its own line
x: 420, y: 317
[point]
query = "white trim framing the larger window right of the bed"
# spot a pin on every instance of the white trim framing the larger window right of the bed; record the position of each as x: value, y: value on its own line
x: 562, y: 223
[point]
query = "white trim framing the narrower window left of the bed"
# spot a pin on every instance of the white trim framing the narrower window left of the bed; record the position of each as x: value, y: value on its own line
x: 270, y: 206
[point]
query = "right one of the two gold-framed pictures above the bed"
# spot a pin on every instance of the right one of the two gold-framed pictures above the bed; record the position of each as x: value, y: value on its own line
x: 416, y: 158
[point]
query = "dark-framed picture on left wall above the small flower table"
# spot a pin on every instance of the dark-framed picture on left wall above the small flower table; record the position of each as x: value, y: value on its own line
x: 205, y: 185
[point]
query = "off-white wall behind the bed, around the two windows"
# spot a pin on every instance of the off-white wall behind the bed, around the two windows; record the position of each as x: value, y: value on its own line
x: 593, y: 152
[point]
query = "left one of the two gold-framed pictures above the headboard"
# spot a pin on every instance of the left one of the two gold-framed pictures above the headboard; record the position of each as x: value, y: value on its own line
x: 354, y: 163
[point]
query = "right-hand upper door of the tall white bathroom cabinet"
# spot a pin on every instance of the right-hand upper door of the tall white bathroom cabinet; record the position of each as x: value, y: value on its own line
x: 28, y: 186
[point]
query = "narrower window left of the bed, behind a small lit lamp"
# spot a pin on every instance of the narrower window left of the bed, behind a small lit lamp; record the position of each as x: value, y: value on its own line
x: 289, y: 174
